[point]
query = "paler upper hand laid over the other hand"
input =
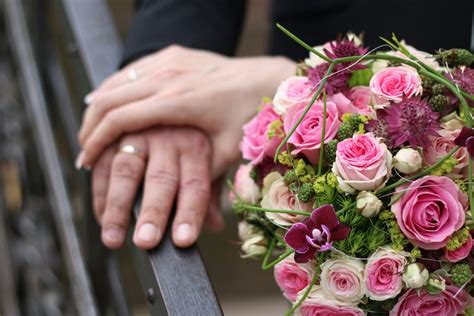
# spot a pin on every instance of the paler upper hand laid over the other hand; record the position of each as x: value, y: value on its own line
x: 181, y: 86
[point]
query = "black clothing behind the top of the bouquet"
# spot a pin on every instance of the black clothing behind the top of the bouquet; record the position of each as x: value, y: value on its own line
x: 427, y: 25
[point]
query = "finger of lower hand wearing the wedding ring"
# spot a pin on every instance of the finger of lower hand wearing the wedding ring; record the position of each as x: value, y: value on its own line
x: 125, y: 178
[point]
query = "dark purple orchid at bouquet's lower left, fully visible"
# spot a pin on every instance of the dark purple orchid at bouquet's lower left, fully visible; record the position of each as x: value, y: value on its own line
x: 316, y: 233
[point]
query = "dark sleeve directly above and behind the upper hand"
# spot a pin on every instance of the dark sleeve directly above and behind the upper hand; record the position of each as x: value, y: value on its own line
x: 207, y: 24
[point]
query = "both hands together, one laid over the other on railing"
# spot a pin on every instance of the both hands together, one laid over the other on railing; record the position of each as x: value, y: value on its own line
x: 171, y: 122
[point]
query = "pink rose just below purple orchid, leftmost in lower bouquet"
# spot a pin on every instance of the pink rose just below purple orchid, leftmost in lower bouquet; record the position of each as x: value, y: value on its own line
x: 292, y: 277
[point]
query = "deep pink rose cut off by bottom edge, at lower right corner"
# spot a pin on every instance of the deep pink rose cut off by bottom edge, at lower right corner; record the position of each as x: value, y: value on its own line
x: 419, y: 302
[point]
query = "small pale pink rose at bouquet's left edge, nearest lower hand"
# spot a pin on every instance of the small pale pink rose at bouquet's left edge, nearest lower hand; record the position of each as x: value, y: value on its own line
x: 245, y: 186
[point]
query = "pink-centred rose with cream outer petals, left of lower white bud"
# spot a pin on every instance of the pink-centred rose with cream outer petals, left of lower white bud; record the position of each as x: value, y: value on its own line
x: 383, y: 273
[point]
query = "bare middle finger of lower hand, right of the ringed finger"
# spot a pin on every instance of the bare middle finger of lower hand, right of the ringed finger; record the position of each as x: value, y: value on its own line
x: 161, y: 183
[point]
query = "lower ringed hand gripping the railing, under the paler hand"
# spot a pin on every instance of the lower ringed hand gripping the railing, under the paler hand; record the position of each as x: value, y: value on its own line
x: 172, y: 164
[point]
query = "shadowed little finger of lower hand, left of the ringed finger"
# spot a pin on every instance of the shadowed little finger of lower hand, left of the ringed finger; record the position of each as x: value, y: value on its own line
x: 100, y: 181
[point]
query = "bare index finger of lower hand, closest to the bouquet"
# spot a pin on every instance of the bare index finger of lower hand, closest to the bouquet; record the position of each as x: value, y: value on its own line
x: 194, y: 191
